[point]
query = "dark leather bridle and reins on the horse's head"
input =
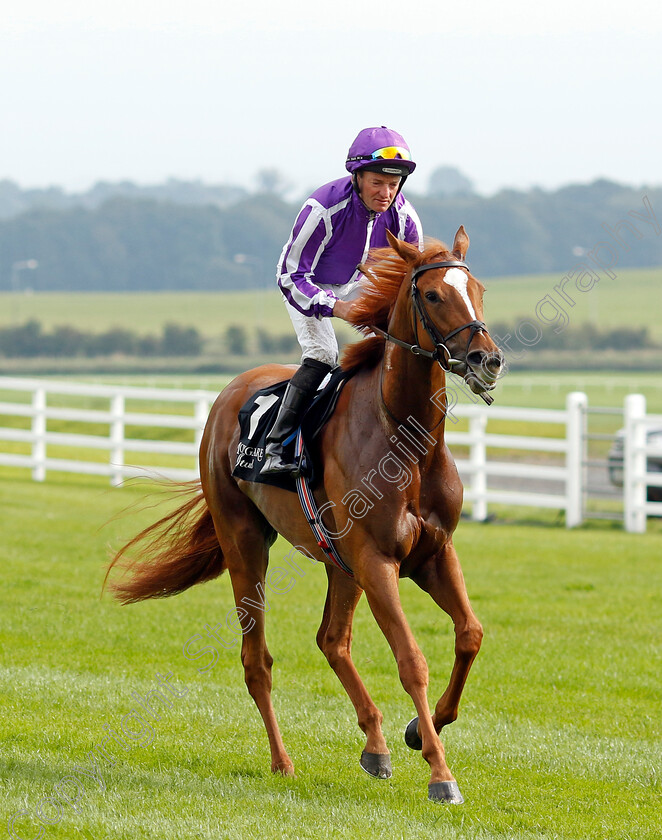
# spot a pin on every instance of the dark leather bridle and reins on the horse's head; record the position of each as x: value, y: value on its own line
x: 441, y: 354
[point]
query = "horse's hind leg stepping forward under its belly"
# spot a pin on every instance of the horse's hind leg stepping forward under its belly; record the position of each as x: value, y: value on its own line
x: 334, y: 639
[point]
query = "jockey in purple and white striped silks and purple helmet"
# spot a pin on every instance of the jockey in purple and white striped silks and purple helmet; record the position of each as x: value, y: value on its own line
x: 318, y: 269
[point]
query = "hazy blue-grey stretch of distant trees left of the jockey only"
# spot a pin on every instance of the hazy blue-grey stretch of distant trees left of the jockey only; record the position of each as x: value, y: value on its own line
x: 144, y: 245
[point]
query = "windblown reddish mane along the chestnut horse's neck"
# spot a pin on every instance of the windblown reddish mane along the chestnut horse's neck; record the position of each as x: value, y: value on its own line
x: 384, y: 271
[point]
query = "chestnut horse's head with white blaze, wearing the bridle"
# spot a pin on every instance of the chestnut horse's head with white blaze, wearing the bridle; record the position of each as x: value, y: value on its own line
x: 446, y: 304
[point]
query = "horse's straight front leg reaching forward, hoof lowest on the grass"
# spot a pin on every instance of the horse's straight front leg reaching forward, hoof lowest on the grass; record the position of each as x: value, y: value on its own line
x: 379, y: 578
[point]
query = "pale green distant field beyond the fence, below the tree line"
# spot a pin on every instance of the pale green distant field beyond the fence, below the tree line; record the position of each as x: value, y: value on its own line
x: 633, y: 298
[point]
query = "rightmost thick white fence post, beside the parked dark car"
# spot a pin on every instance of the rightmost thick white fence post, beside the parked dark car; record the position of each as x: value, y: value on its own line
x: 634, y: 464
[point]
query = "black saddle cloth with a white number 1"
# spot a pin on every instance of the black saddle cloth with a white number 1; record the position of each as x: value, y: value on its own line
x: 257, y: 416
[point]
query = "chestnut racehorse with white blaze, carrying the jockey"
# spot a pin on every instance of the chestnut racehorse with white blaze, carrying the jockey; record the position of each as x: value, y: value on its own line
x: 389, y: 489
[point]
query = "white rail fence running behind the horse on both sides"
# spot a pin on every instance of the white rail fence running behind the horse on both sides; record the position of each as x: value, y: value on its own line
x: 29, y: 408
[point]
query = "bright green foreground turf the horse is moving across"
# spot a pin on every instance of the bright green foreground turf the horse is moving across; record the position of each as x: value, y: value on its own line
x: 558, y: 736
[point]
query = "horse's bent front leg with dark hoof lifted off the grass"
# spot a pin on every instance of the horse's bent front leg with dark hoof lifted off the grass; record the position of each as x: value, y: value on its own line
x: 442, y: 578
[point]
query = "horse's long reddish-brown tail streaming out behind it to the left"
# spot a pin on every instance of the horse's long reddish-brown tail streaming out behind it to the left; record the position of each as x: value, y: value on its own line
x: 178, y: 551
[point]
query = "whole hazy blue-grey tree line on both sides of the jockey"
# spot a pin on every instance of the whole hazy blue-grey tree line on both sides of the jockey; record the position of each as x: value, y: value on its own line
x: 184, y: 239
